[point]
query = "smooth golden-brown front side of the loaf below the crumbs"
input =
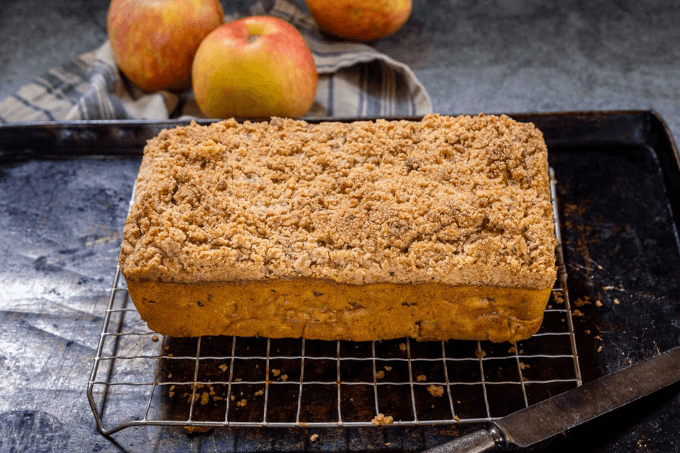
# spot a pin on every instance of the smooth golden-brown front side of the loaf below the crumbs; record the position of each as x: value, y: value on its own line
x: 323, y: 310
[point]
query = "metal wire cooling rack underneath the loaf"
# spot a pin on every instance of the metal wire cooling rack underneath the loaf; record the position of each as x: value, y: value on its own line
x: 141, y: 378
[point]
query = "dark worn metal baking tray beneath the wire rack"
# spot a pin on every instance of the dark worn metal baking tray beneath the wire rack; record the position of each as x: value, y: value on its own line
x: 618, y: 183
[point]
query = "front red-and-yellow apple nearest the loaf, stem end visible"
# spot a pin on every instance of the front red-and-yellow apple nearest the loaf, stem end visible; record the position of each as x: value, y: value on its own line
x: 259, y: 66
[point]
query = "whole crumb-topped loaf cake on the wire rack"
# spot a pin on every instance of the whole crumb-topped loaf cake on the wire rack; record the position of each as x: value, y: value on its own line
x: 433, y: 229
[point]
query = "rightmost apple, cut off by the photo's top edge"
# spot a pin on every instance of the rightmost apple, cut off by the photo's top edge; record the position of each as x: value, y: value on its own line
x: 360, y: 20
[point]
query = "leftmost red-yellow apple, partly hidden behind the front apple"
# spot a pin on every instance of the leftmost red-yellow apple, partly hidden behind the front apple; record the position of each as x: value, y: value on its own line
x: 154, y: 41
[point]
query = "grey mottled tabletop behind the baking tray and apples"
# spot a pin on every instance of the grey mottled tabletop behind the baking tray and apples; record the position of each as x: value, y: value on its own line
x: 472, y: 56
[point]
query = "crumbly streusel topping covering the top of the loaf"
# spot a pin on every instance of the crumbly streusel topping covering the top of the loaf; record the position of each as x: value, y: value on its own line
x: 452, y: 200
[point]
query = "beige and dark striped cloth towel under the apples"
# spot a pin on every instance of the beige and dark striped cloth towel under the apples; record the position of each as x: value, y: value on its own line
x: 354, y: 80
